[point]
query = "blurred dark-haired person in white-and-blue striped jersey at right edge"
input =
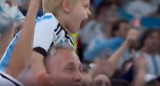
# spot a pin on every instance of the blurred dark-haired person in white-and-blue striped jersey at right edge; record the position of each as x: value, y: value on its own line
x: 150, y: 44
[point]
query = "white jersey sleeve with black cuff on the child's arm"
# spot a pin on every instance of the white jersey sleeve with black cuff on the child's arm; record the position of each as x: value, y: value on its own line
x: 44, y: 35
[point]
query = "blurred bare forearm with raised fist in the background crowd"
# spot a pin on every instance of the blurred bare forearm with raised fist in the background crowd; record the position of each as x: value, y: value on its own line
x: 113, y: 61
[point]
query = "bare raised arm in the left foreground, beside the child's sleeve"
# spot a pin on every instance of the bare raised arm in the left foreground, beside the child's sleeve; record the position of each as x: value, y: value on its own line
x: 22, y: 51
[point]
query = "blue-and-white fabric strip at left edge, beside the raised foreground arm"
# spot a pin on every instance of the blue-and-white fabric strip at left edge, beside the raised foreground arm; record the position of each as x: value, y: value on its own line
x: 7, y: 56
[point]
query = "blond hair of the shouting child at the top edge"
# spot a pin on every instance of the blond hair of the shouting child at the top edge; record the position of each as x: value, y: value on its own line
x: 54, y: 6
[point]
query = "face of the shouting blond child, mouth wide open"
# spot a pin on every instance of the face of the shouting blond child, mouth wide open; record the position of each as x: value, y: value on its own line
x: 79, y: 13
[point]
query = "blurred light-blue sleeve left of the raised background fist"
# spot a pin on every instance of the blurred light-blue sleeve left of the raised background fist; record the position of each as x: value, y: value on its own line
x: 91, y: 54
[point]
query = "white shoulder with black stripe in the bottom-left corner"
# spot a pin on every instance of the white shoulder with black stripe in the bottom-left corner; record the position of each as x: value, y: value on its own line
x: 6, y: 80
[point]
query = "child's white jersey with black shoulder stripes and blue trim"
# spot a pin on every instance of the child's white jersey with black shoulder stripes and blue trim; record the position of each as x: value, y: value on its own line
x: 50, y: 33
